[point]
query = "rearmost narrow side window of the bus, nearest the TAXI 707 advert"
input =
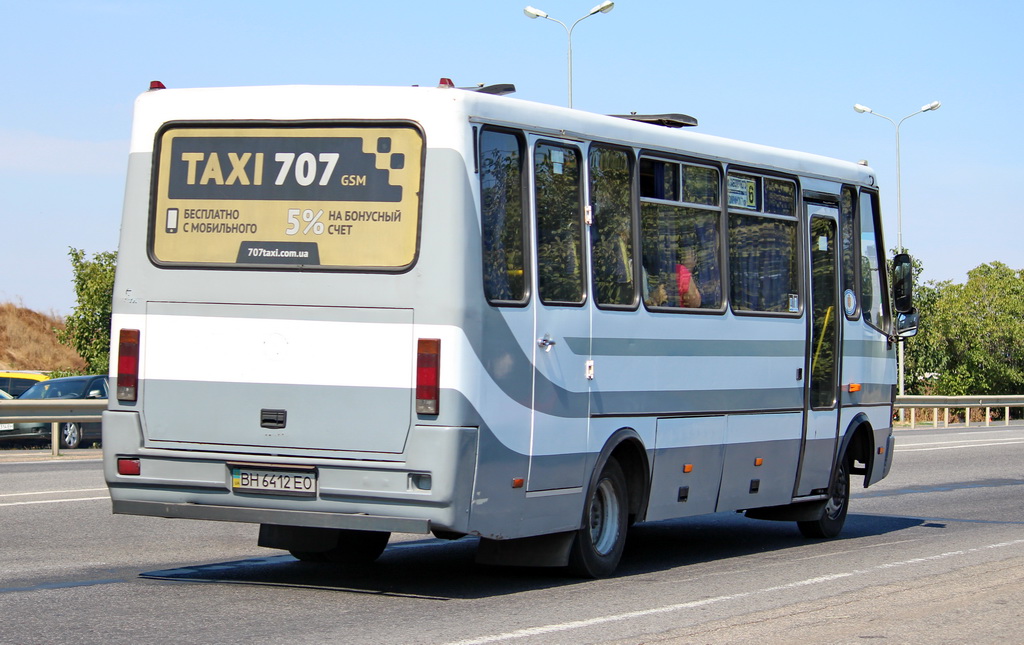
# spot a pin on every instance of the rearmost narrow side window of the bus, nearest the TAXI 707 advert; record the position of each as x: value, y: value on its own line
x: 501, y: 210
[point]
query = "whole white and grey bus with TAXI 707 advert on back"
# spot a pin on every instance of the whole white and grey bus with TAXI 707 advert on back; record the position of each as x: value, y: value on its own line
x: 343, y: 313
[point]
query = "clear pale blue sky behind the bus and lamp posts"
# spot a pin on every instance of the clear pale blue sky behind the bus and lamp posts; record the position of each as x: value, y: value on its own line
x: 785, y: 74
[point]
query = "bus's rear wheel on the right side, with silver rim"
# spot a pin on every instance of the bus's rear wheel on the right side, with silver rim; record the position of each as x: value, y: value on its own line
x: 602, y: 538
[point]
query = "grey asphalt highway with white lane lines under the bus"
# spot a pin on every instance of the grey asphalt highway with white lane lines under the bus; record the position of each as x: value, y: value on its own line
x: 932, y: 554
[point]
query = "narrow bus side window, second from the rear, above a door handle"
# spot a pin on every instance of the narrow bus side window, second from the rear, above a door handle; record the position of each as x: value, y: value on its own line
x: 560, y: 226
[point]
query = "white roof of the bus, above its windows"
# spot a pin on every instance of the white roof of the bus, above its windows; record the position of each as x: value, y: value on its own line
x: 432, y: 106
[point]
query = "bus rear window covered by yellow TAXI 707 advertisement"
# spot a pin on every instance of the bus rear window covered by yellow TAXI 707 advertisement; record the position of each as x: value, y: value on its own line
x: 329, y: 197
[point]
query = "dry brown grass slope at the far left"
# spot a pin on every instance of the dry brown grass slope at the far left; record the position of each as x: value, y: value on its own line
x: 28, y: 342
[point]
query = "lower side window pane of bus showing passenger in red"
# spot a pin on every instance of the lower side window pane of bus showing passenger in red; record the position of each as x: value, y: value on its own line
x: 679, y: 236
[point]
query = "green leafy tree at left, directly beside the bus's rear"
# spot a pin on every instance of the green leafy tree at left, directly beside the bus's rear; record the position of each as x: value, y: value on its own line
x: 88, y: 330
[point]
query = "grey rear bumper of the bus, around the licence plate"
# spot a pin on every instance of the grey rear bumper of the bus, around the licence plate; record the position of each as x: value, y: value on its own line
x: 355, y: 494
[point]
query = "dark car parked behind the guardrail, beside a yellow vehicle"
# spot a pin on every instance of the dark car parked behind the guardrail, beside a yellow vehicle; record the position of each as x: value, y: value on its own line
x: 73, y: 435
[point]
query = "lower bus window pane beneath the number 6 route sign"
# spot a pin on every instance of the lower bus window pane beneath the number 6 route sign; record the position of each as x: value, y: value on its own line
x: 762, y: 263
